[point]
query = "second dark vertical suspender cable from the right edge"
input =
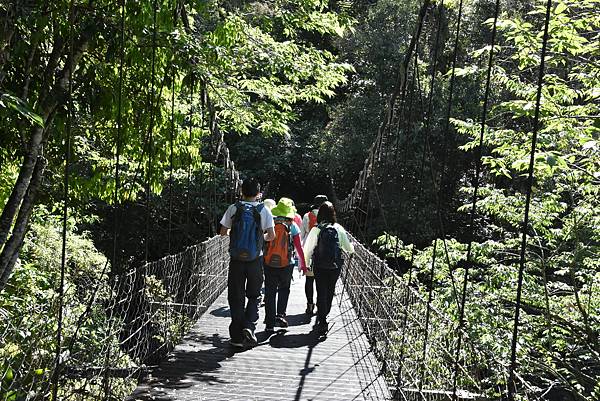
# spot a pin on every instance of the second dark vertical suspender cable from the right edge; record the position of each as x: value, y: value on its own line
x: 474, y: 198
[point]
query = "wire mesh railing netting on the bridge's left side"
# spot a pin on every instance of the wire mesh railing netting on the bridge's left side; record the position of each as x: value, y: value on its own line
x: 137, y: 316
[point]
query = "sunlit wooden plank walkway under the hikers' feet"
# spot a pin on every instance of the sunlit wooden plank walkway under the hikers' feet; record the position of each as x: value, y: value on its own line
x: 290, y: 365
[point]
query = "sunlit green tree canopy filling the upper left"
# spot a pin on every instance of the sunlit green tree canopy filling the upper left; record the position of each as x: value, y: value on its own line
x: 252, y: 63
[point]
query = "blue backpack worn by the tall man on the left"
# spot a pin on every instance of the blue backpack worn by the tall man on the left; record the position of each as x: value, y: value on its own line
x: 246, y: 236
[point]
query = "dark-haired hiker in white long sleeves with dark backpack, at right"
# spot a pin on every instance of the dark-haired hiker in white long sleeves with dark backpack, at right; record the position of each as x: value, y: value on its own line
x: 324, y: 246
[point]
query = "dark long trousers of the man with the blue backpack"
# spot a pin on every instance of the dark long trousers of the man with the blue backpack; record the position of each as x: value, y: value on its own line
x: 243, y: 281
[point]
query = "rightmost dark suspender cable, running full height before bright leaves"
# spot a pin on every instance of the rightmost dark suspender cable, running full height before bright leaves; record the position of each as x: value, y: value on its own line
x: 529, y: 189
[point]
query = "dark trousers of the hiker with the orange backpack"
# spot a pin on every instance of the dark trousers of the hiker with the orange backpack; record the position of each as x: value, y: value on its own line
x: 277, y: 285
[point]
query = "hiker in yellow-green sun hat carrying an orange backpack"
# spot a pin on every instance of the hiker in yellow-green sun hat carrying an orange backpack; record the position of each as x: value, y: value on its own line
x: 279, y: 263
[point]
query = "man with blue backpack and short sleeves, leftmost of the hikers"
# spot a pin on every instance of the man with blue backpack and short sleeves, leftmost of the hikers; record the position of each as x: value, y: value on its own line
x: 249, y: 224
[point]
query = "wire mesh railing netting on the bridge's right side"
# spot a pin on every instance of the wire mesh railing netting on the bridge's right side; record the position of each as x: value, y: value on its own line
x: 415, y: 344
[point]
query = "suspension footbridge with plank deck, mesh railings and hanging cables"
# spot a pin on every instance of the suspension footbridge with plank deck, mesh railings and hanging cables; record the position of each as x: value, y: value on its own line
x: 165, y: 323
